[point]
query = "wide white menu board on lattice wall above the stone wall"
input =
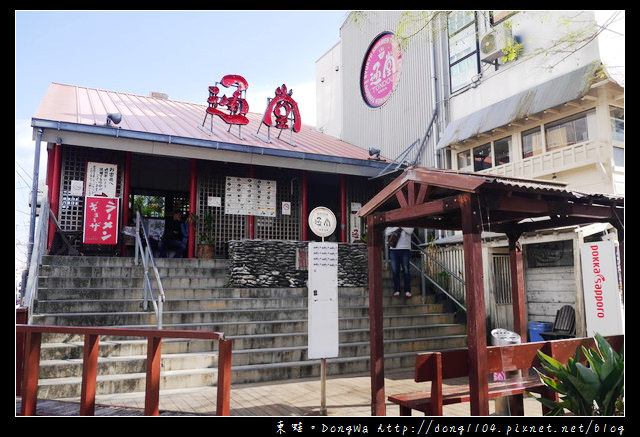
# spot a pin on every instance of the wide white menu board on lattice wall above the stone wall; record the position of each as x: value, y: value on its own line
x: 250, y: 196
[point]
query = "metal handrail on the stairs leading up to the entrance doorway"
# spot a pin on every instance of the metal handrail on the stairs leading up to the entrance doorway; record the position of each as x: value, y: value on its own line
x: 148, y: 261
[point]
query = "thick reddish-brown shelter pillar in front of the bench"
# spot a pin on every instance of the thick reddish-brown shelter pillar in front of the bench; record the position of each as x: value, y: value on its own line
x: 476, y: 319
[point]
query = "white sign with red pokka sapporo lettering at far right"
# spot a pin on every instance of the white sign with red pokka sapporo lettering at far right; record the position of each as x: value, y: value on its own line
x: 602, y: 298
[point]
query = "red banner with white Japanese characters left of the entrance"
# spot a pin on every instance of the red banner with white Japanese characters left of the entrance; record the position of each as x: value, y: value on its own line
x: 100, y: 220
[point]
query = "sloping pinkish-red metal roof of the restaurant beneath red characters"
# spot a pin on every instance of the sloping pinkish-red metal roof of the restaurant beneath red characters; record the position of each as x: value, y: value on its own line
x: 88, y: 106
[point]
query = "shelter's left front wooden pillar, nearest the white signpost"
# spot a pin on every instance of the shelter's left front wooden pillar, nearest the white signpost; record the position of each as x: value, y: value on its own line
x: 374, y: 252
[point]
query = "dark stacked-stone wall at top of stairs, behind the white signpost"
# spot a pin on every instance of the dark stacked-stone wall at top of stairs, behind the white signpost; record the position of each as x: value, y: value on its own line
x: 276, y: 263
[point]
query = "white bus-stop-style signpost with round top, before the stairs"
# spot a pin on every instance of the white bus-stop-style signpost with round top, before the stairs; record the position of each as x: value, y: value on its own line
x: 323, y: 294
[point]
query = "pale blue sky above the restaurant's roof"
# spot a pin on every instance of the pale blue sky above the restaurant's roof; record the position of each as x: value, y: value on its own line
x: 179, y: 53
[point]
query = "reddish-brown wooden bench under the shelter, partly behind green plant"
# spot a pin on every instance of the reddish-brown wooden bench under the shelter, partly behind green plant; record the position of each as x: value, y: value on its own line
x: 438, y: 366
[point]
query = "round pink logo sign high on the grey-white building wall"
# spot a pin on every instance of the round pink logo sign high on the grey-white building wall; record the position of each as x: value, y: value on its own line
x: 381, y: 70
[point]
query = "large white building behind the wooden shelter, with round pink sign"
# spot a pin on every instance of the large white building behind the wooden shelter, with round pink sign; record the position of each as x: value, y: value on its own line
x: 526, y: 94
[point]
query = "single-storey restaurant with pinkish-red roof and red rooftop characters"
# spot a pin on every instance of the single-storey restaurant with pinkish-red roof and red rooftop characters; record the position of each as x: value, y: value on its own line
x: 243, y: 175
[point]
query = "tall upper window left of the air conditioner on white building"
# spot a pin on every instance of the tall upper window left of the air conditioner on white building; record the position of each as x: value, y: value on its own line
x: 463, y: 48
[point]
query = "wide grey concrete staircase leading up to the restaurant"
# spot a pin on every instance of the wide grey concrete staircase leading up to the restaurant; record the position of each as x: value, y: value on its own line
x: 268, y: 326
